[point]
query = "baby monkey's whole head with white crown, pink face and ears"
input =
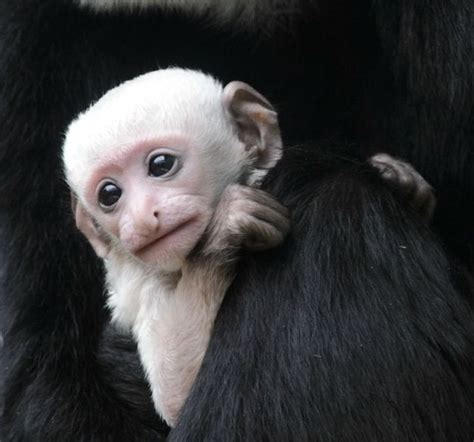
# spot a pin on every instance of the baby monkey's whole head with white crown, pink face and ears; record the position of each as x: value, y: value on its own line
x: 149, y: 161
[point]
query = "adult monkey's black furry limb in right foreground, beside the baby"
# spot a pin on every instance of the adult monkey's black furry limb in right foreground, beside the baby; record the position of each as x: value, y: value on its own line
x: 352, y: 331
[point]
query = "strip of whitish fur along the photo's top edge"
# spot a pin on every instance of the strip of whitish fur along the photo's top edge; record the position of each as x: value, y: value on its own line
x: 247, y: 12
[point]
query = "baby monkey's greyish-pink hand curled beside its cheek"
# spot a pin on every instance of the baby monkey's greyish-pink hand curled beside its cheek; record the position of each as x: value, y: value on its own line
x: 246, y: 217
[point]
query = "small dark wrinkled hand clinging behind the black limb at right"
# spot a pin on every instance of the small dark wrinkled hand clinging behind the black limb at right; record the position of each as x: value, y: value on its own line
x: 408, y: 182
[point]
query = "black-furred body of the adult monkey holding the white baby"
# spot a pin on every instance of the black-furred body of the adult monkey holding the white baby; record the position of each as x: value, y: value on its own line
x: 389, y: 76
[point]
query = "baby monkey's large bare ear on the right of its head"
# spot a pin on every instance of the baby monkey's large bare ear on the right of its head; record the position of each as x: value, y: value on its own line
x: 257, y: 122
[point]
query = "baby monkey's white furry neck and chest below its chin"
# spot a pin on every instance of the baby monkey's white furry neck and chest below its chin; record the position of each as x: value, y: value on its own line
x: 171, y: 324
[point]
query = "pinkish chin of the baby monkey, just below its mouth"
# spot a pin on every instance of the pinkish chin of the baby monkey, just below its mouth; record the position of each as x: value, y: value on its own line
x: 168, y: 253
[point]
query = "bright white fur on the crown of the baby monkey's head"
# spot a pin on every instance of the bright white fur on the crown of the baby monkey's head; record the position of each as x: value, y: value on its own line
x: 160, y: 103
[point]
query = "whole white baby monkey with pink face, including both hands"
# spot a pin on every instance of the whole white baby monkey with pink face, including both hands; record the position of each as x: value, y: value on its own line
x: 162, y: 171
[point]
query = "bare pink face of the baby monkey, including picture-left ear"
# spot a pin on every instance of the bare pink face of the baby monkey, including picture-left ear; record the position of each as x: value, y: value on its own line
x: 149, y: 201
